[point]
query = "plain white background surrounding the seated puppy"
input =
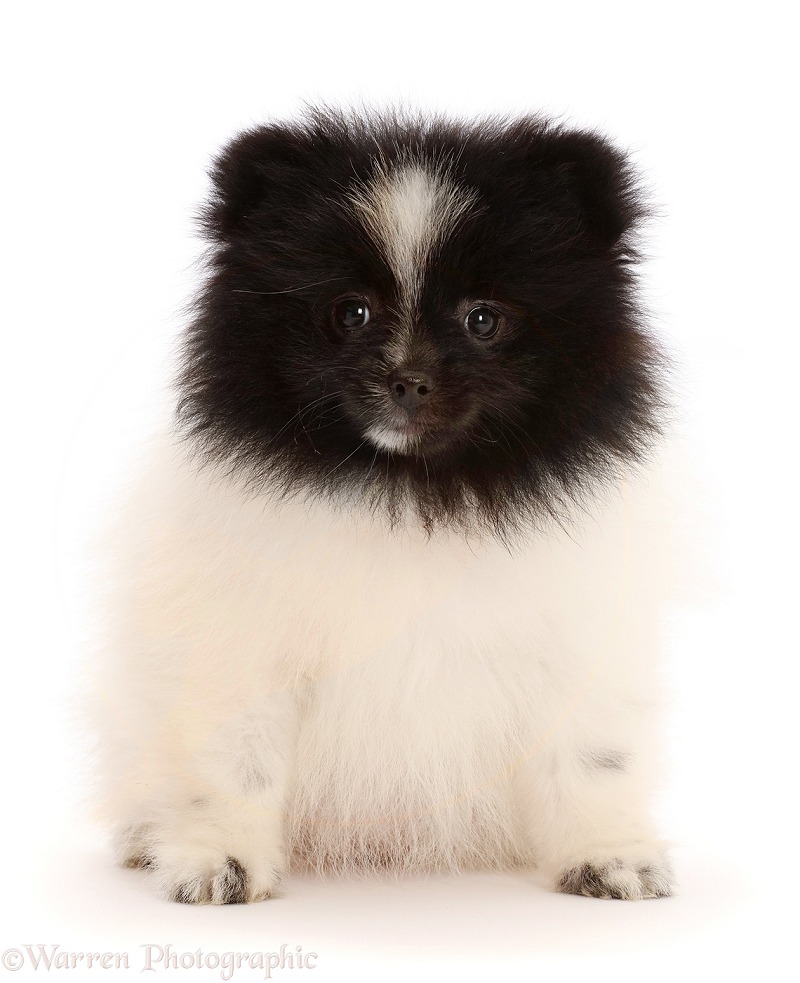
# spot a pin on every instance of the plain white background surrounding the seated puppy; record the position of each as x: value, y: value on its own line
x: 111, y: 113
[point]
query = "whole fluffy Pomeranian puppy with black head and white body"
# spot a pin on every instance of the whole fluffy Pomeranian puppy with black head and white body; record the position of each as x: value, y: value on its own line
x: 389, y: 595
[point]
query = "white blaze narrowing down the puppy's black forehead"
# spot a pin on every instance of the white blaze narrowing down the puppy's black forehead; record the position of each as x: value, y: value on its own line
x: 409, y: 208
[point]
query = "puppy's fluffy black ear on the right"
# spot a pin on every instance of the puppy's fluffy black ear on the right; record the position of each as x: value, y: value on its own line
x: 594, y: 185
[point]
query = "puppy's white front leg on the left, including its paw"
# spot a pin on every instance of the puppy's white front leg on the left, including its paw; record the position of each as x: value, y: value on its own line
x: 215, y: 831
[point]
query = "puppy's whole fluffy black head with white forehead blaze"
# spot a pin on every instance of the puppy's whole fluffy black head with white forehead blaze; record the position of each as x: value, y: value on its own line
x: 421, y: 312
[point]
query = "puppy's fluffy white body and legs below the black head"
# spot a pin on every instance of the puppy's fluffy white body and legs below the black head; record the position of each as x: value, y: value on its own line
x: 293, y: 684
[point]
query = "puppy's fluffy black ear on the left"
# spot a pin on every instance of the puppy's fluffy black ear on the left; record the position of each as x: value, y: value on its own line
x: 257, y: 168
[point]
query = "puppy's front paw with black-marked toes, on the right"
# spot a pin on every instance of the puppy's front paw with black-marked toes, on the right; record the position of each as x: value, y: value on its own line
x: 614, y: 878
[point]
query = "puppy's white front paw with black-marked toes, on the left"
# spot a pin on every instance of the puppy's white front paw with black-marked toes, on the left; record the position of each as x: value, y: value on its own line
x: 209, y: 876
